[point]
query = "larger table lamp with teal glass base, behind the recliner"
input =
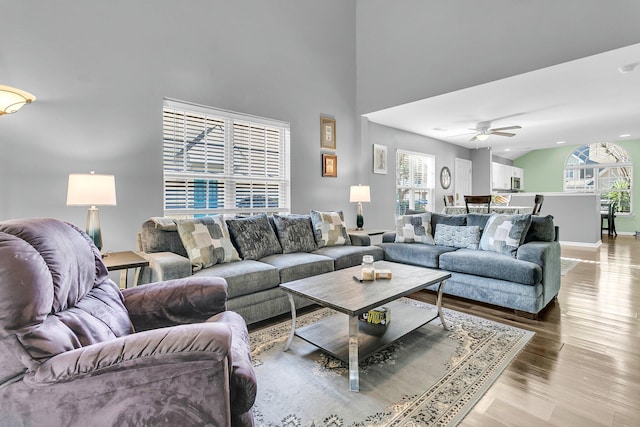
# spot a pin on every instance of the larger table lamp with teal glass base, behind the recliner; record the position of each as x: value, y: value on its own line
x: 92, y: 190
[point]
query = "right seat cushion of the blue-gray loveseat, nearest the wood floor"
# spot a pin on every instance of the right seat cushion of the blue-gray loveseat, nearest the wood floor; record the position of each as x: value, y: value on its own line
x: 492, y: 265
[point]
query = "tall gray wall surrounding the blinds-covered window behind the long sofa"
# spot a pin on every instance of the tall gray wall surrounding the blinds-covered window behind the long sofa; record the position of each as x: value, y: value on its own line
x: 100, y: 70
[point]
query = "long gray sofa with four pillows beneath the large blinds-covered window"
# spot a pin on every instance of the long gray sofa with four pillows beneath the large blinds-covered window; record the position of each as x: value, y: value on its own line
x: 254, y: 255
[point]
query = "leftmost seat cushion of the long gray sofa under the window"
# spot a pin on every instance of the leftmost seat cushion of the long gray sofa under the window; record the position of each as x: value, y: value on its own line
x: 244, y: 277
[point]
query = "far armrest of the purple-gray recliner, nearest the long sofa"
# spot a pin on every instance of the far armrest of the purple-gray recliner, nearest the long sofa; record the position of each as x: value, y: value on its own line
x: 173, y: 302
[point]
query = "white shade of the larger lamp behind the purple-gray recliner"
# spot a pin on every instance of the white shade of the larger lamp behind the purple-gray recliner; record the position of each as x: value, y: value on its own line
x: 91, y: 190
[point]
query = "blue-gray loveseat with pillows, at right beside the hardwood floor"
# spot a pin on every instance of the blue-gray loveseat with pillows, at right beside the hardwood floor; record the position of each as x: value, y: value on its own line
x: 523, y: 276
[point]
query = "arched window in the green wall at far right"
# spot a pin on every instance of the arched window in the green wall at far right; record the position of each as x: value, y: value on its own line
x: 604, y: 168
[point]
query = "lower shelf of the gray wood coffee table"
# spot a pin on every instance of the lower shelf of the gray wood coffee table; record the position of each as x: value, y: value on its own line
x: 329, y: 335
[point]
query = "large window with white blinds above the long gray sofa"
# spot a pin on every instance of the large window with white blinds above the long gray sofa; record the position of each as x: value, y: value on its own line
x: 217, y: 161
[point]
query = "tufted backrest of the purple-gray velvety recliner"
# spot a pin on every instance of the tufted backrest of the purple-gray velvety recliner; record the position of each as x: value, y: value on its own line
x: 55, y: 292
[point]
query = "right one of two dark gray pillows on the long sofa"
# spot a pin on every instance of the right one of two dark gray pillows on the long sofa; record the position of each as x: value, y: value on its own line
x: 254, y: 237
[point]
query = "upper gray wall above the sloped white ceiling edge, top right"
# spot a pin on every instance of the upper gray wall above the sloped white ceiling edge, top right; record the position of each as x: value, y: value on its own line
x: 414, y: 49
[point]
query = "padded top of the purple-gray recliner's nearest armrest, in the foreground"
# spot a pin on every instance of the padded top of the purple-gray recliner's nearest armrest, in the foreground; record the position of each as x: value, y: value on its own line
x: 206, y: 341
